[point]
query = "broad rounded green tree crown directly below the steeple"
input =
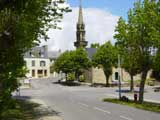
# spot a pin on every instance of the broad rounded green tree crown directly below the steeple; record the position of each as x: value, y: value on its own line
x: 72, y: 62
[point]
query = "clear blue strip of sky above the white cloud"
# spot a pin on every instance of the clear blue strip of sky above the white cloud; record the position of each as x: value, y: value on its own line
x: 116, y: 7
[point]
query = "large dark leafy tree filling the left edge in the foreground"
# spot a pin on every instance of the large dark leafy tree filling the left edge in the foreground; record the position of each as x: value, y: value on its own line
x: 23, y: 23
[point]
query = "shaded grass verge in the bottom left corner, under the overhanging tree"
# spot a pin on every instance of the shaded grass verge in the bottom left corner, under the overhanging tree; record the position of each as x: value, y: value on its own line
x: 27, y: 110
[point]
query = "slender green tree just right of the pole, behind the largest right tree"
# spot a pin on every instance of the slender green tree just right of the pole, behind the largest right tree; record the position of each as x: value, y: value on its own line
x: 126, y: 33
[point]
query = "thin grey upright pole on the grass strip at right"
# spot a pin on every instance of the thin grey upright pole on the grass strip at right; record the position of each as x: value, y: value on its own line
x: 119, y: 76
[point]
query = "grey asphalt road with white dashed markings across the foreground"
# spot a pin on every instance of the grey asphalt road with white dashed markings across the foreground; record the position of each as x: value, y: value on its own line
x: 84, y: 103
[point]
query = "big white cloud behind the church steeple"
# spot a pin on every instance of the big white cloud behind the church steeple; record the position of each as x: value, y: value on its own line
x: 100, y: 26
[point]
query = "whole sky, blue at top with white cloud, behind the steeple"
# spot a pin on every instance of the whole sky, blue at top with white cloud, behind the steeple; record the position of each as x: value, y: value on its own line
x: 100, y: 18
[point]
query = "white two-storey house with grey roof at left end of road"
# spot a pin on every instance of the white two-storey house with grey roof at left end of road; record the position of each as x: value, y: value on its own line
x: 37, y: 62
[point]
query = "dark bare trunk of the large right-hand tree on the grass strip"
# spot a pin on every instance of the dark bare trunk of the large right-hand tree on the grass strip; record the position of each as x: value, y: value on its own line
x: 142, y: 84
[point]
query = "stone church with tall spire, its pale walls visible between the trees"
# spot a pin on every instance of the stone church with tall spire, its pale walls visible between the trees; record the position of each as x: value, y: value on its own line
x: 96, y: 75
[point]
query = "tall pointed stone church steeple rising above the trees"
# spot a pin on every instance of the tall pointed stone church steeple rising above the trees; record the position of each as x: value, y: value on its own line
x: 80, y: 42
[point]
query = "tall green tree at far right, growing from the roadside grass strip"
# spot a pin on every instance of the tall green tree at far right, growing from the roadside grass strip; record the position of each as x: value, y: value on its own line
x: 144, y: 19
